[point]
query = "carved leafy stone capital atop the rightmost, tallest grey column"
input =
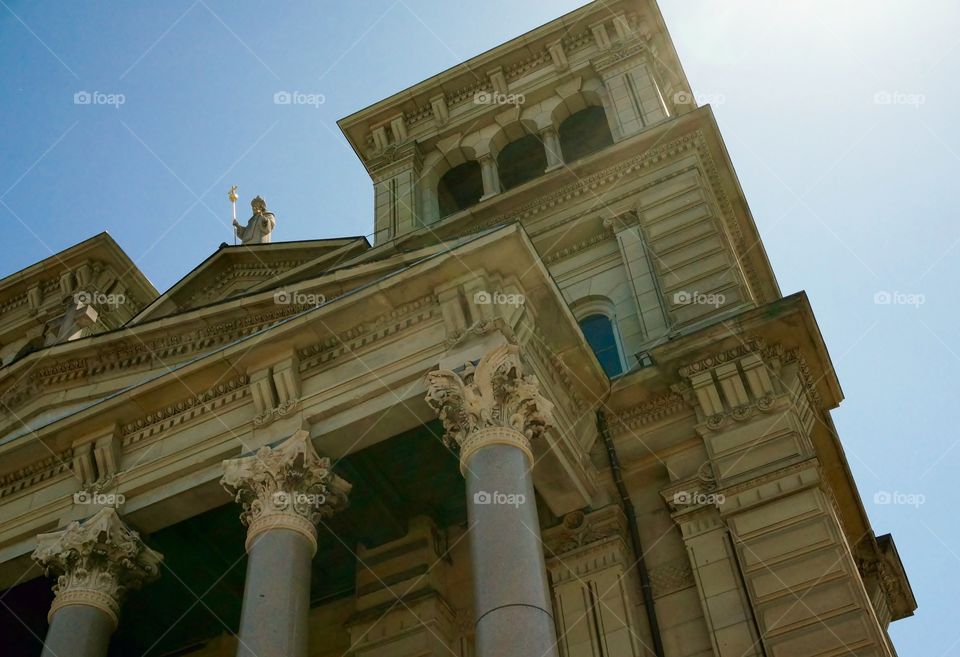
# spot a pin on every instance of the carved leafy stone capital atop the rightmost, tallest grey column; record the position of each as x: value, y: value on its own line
x: 493, y: 401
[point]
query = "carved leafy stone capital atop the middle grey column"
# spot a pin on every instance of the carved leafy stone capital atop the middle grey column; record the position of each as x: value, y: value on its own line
x: 287, y: 486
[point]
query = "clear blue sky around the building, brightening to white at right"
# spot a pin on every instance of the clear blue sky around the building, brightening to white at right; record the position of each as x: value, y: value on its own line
x: 839, y: 117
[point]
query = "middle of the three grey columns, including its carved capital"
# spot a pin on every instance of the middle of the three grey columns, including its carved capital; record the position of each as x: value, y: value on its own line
x: 284, y: 491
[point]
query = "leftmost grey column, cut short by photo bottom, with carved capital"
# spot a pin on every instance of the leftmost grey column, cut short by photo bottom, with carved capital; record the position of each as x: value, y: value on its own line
x: 96, y: 562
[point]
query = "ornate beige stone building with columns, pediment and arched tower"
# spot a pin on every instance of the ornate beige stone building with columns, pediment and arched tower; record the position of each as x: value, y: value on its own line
x: 558, y: 407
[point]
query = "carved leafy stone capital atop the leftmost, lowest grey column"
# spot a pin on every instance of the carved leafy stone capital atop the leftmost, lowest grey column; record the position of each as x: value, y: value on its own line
x: 96, y: 562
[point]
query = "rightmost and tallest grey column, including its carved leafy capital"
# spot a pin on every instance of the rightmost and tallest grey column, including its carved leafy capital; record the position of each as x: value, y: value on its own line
x: 491, y: 412
